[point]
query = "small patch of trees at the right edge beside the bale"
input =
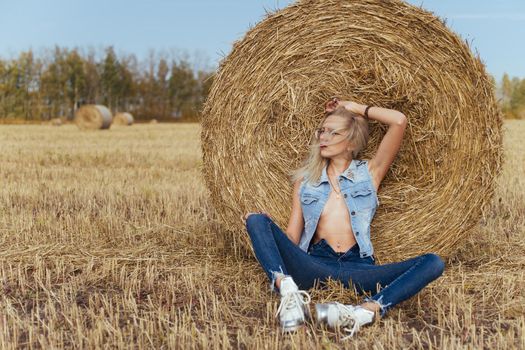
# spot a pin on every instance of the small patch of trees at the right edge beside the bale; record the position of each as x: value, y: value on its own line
x: 512, y: 96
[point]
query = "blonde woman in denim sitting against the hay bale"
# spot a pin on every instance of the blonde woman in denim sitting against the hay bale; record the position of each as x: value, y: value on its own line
x: 328, y: 234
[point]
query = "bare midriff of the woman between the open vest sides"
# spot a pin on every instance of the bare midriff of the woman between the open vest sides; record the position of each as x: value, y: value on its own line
x: 334, y: 225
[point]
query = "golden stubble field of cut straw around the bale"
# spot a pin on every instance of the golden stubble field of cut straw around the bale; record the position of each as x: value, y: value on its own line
x: 108, y: 240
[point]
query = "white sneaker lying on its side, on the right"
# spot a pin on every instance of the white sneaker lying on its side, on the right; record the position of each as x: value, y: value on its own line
x: 338, y: 315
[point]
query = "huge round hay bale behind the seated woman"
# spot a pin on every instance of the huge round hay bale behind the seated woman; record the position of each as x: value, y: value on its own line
x: 268, y: 95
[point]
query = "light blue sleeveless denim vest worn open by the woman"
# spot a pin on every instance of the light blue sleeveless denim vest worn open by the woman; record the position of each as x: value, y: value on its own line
x: 360, y: 197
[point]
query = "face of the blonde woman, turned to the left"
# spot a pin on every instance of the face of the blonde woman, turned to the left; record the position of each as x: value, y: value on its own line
x: 336, y: 143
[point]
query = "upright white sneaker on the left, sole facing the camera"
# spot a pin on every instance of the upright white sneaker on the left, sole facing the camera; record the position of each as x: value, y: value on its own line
x: 293, y: 309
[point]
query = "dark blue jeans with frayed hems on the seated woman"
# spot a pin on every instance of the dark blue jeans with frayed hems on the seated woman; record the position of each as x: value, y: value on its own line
x: 398, y: 281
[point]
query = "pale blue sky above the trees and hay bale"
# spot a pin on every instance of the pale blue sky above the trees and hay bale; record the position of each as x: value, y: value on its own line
x: 206, y: 29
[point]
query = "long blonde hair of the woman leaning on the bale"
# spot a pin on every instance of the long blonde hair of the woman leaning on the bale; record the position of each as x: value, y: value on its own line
x: 313, y: 165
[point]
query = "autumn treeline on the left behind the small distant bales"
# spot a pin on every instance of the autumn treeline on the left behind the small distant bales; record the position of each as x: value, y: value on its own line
x: 50, y: 85
